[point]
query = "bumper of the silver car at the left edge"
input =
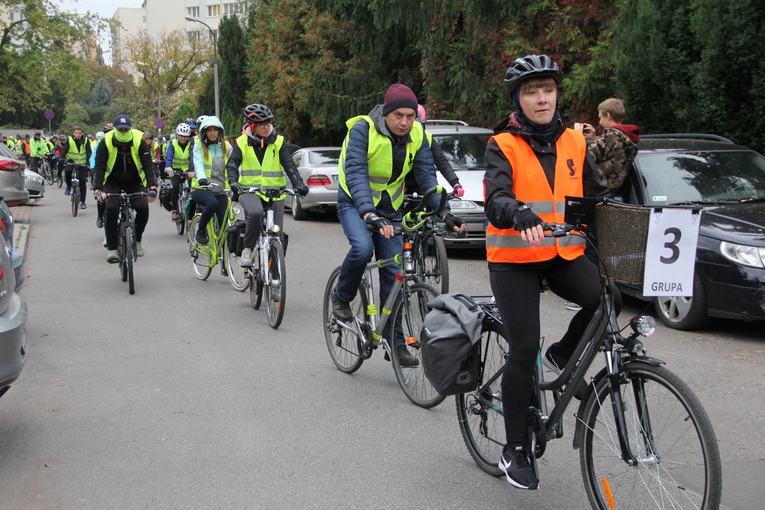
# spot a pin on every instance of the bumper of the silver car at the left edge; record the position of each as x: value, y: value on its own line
x: 13, y: 341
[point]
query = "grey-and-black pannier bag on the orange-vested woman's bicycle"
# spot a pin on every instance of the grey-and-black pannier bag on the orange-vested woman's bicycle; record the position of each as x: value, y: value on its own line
x: 451, y: 343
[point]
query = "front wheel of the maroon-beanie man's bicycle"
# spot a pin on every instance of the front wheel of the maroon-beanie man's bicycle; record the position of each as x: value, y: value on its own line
x: 411, y: 309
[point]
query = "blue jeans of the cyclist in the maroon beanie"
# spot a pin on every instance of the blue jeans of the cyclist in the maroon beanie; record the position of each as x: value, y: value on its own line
x: 364, y: 244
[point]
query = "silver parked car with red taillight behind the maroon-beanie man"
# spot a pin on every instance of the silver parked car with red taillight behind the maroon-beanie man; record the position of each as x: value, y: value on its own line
x: 319, y: 170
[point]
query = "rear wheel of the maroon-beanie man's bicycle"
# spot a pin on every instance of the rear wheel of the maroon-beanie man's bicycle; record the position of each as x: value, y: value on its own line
x: 343, y: 344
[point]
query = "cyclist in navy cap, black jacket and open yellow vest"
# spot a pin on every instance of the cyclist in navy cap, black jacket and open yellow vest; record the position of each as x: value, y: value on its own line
x: 124, y: 163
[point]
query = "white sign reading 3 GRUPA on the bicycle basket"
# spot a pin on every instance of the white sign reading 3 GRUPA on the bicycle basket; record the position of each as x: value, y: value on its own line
x: 671, y: 252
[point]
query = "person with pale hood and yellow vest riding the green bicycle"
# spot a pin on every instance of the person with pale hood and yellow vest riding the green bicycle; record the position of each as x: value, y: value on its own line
x: 211, y: 152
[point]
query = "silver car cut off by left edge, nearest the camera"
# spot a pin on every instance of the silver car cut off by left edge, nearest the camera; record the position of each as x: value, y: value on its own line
x: 13, y: 319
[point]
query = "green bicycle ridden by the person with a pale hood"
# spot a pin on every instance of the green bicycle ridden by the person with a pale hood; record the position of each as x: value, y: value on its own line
x: 205, y: 257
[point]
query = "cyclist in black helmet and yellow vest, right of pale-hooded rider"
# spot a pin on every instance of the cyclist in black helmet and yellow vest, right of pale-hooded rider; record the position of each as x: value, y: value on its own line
x: 260, y: 158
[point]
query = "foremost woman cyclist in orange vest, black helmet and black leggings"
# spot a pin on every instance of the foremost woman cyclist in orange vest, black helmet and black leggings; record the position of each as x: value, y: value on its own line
x: 532, y: 163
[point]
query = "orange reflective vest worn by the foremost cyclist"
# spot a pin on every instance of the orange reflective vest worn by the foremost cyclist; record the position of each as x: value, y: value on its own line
x: 531, y: 187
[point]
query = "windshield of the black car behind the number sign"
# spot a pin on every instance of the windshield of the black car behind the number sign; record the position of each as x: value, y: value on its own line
x: 702, y: 176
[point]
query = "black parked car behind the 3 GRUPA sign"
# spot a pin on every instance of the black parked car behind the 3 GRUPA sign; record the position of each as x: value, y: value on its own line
x: 728, y: 181
